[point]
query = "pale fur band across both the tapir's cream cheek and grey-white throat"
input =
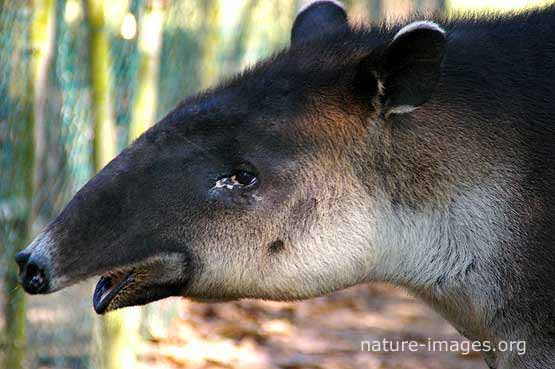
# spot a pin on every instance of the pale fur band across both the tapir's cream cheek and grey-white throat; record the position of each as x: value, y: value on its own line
x: 356, y: 239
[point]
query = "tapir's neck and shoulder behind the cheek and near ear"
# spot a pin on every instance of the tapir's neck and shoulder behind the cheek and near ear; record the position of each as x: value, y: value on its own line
x: 465, y: 187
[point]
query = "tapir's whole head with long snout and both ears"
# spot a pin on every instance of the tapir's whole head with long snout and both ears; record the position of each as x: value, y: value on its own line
x: 264, y: 187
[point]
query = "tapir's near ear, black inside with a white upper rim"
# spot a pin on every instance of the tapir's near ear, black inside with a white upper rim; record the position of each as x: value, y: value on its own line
x: 409, y: 67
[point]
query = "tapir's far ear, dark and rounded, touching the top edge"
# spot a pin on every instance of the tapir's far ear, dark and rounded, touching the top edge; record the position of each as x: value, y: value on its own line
x: 316, y: 19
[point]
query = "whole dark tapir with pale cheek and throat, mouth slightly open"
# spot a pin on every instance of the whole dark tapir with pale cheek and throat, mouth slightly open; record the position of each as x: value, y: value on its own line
x: 422, y: 155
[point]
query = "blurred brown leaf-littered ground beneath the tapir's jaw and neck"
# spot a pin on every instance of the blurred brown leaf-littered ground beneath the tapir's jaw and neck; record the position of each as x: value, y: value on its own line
x: 324, y: 333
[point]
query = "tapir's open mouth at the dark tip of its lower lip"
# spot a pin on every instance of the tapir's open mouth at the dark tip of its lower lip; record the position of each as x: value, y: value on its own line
x: 109, y: 286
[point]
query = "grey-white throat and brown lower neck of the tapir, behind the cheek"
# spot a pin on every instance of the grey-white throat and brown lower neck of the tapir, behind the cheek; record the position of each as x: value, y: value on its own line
x: 465, y: 260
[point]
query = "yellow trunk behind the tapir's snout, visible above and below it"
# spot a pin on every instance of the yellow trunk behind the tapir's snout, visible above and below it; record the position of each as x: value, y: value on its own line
x: 116, y: 332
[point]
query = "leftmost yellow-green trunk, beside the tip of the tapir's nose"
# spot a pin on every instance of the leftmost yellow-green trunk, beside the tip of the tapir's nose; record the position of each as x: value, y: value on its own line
x: 26, y: 169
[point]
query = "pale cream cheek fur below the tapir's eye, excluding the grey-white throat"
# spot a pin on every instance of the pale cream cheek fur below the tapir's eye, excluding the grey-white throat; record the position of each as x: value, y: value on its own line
x: 329, y: 249
